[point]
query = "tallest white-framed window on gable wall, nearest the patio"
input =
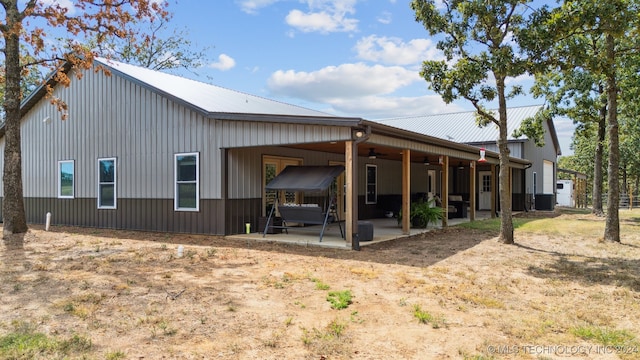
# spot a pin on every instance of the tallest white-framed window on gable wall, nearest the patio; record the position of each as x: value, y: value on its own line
x: 187, y: 182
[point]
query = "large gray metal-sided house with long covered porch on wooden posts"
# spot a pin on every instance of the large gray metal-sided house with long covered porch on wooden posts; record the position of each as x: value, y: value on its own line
x: 145, y: 150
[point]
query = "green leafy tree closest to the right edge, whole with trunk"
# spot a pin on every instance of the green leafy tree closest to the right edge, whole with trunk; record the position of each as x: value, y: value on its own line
x: 612, y: 27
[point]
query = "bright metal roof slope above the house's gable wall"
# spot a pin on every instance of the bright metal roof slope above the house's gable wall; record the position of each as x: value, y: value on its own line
x: 206, y: 97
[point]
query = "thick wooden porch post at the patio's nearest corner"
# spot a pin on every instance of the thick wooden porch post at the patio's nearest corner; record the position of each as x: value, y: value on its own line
x: 351, y: 184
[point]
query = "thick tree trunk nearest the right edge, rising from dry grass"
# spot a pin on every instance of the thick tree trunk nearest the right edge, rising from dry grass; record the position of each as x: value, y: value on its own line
x: 612, y: 222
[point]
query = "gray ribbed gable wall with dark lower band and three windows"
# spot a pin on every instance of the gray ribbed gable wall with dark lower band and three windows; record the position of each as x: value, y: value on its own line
x: 110, y: 116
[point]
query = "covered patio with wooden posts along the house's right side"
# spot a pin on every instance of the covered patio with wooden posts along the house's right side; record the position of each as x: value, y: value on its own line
x: 386, y: 170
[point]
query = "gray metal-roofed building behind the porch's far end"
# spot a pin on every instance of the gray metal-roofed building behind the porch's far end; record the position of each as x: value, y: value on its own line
x: 539, y: 181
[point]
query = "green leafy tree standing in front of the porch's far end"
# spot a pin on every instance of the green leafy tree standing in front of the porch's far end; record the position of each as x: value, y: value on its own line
x: 481, y: 55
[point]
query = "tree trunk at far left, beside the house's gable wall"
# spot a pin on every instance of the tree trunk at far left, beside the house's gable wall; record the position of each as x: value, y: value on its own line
x: 13, y: 213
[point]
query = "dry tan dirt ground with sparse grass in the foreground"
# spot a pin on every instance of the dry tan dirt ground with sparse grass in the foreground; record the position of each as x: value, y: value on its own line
x: 447, y: 294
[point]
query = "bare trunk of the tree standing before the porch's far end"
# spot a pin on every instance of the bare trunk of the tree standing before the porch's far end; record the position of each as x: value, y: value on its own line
x: 506, y: 216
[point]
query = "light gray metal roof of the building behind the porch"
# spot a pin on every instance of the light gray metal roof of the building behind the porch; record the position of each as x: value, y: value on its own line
x: 462, y: 127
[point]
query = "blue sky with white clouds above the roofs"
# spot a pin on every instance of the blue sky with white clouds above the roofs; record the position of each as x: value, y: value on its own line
x: 346, y: 57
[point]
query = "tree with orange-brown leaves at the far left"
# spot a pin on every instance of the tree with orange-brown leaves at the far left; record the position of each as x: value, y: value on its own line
x: 27, y: 30
